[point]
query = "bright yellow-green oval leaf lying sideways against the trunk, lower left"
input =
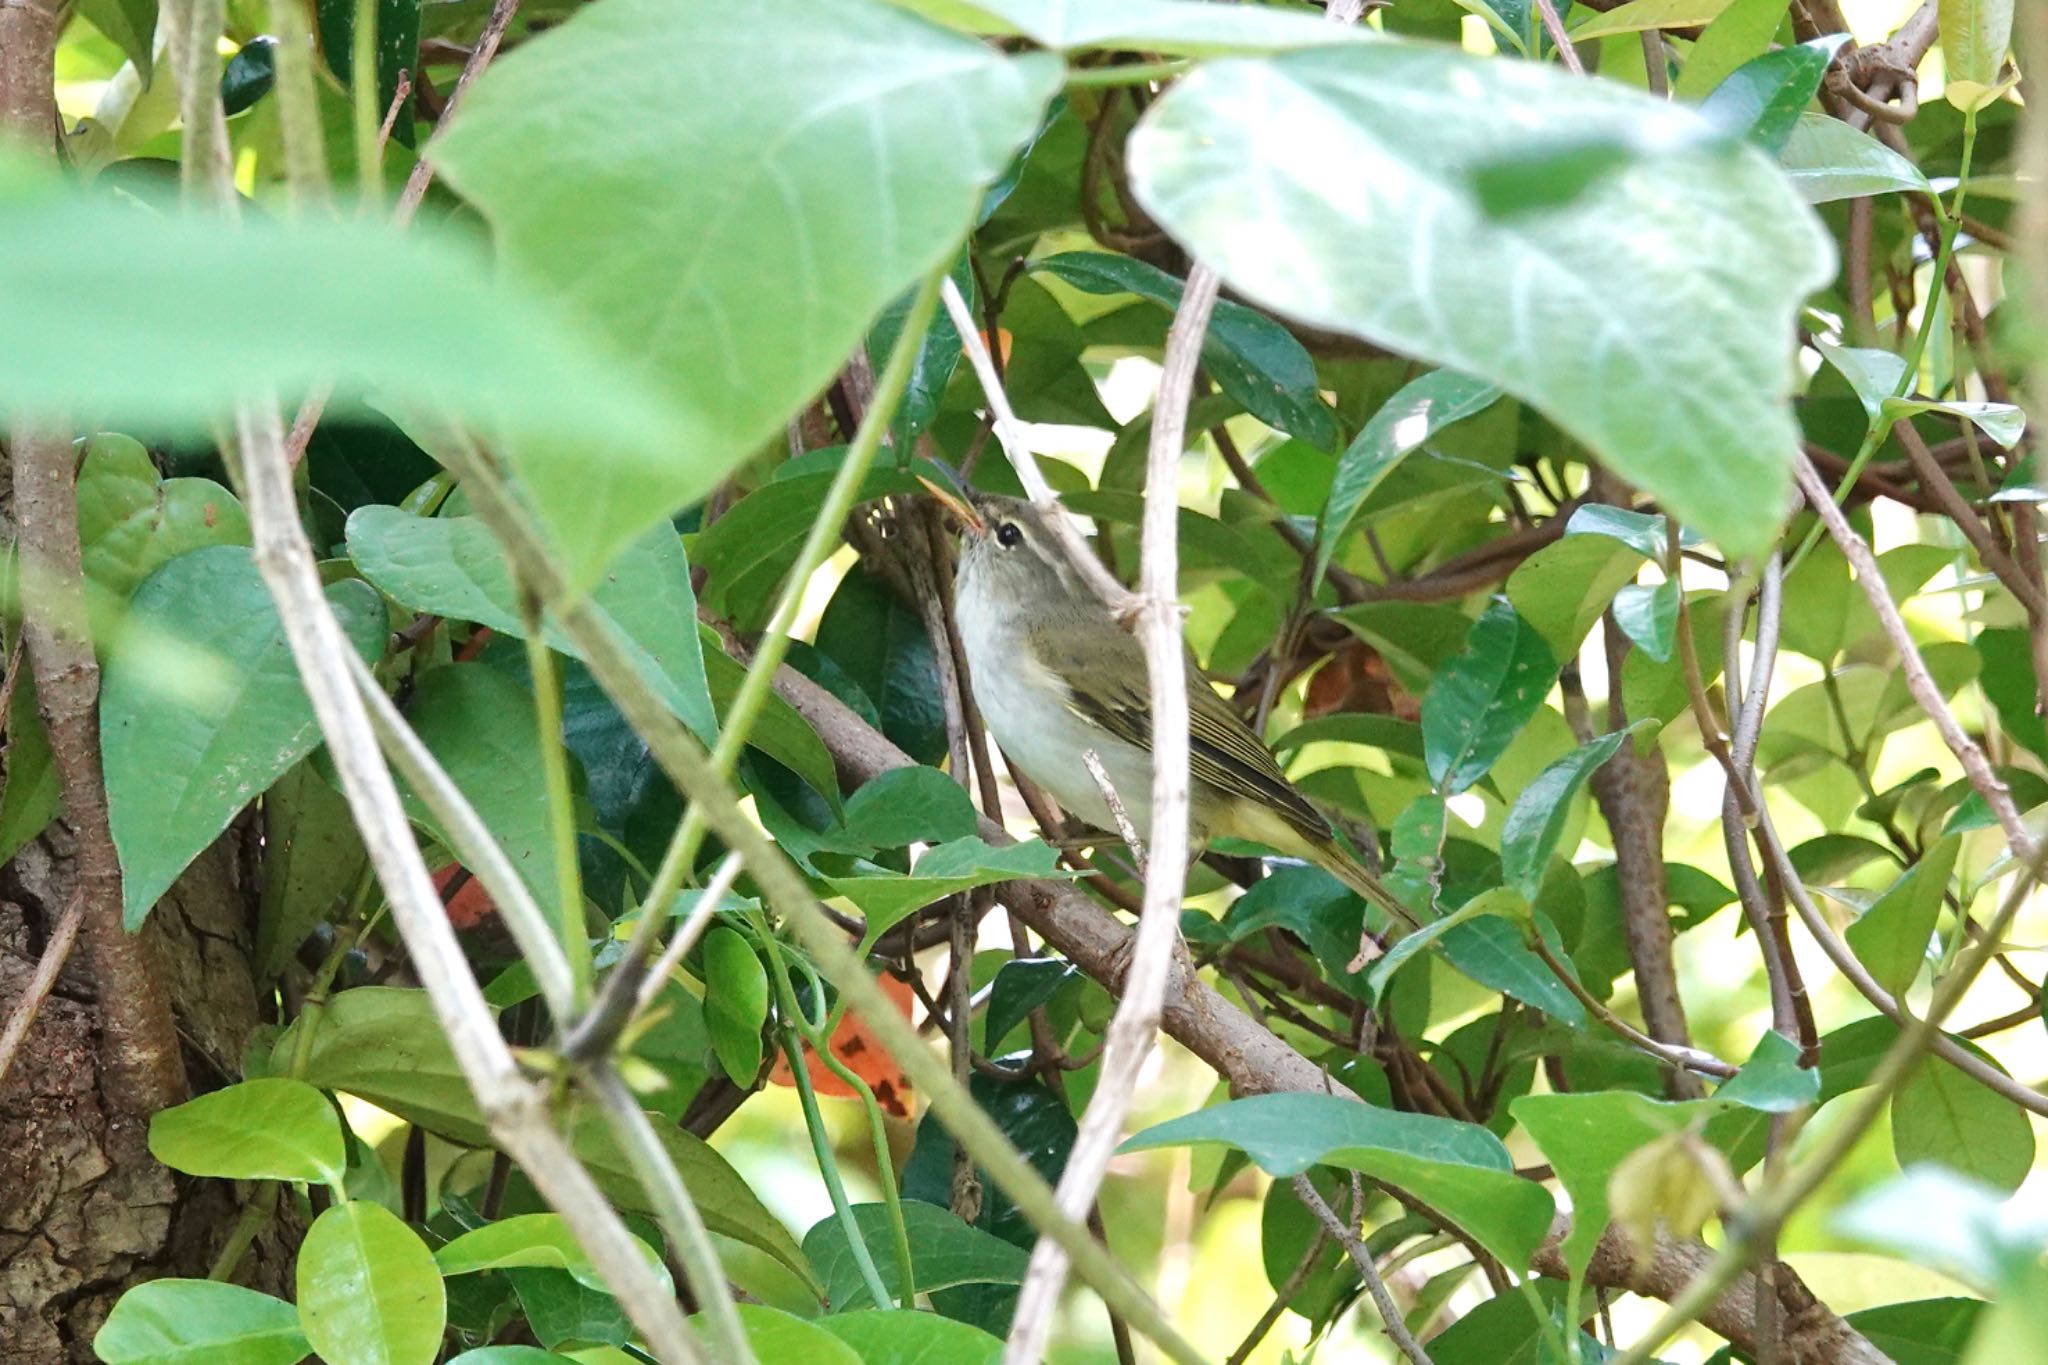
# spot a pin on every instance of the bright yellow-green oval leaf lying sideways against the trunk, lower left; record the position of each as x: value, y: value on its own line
x: 257, y: 1131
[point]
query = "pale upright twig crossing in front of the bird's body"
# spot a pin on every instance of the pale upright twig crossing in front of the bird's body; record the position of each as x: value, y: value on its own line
x: 1136, y: 1026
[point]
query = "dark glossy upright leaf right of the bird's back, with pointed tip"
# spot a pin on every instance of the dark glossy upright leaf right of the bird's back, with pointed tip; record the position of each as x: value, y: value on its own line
x: 1484, y: 699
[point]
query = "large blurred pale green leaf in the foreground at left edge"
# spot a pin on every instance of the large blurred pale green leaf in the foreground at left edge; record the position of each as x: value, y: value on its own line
x: 181, y: 351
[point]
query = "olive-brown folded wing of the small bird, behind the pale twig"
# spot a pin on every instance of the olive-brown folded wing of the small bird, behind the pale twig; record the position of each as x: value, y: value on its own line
x: 1224, y: 754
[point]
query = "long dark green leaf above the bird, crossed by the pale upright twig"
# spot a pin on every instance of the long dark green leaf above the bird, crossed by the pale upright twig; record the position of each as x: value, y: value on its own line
x: 1254, y: 361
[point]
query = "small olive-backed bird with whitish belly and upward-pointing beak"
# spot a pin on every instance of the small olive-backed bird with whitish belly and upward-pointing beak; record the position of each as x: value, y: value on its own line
x: 1056, y: 676
